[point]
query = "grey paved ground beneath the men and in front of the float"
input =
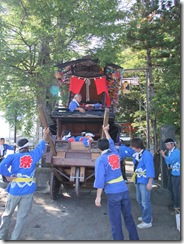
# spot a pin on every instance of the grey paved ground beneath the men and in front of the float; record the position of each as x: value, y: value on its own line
x: 77, y: 218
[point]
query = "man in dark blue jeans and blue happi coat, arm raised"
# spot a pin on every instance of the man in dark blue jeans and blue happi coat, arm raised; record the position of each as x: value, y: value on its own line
x: 108, y: 176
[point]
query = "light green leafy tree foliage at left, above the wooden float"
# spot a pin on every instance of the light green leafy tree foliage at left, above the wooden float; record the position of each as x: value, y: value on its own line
x: 38, y: 34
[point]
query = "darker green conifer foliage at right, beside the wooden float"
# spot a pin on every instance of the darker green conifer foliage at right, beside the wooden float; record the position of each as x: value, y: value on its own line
x: 153, y: 32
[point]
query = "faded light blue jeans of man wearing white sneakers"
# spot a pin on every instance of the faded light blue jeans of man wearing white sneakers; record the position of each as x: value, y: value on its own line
x: 143, y: 199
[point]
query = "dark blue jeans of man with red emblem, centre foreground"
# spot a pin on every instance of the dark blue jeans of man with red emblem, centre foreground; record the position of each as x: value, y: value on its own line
x: 119, y: 203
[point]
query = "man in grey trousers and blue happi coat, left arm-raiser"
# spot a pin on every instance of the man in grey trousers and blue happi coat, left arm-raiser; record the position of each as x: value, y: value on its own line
x: 19, y: 170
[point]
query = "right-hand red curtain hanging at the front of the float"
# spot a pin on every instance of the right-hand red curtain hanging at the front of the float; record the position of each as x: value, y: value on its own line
x: 101, y: 86
